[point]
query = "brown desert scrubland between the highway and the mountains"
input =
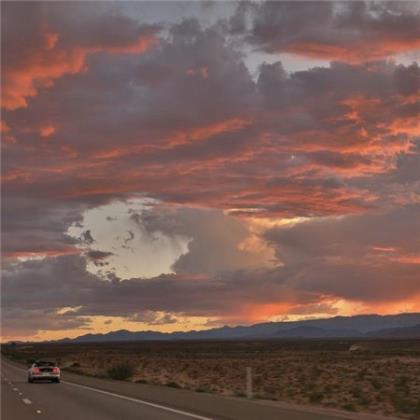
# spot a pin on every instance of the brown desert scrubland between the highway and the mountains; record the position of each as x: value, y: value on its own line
x: 383, y: 377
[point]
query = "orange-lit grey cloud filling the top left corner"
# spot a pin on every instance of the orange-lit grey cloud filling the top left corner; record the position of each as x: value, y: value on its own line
x: 56, y: 49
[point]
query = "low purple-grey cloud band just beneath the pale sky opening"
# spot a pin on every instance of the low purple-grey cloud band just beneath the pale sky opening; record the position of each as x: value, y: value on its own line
x: 70, y: 285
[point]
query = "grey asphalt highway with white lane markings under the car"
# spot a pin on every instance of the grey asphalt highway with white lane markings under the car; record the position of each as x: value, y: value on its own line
x: 83, y: 398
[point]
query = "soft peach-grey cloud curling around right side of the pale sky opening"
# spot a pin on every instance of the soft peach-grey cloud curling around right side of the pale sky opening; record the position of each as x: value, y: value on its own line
x: 215, y: 239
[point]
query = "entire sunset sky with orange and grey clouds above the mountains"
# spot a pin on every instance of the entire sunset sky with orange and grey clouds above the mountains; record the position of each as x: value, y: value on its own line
x: 186, y: 165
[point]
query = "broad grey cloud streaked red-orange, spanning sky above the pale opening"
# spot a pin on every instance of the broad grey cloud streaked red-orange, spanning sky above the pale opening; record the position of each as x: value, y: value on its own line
x: 267, y: 156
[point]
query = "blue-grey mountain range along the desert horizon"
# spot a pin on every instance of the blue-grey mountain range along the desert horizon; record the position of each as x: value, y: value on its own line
x: 398, y: 326
